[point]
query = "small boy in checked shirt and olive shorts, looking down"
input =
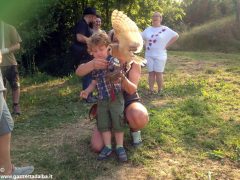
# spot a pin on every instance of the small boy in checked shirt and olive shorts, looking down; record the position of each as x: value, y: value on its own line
x: 110, y: 111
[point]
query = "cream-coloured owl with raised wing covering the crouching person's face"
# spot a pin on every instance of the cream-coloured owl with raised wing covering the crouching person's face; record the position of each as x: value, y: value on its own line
x: 127, y: 34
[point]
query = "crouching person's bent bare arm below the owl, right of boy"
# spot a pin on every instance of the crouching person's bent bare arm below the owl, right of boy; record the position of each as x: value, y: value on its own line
x: 130, y: 84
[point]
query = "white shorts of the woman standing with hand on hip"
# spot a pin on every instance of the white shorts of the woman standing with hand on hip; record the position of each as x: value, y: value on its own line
x: 156, y: 64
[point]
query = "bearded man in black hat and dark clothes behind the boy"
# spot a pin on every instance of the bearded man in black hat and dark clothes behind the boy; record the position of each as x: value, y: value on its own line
x: 82, y: 32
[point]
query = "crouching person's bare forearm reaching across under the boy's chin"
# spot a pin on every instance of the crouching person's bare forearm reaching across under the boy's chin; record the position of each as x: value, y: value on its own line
x: 86, y: 68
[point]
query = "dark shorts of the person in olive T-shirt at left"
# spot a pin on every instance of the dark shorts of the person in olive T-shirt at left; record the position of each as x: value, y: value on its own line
x: 10, y: 74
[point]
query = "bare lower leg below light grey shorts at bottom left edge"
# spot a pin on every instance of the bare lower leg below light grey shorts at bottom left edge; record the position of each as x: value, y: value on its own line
x: 5, y: 158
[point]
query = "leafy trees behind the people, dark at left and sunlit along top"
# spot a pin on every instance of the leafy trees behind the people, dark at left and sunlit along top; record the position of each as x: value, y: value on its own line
x: 46, y: 27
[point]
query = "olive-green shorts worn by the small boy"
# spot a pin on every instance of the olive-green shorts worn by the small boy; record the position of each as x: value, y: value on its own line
x: 110, y: 114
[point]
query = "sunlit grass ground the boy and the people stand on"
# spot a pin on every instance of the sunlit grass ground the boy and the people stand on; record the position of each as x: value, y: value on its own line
x: 193, y: 133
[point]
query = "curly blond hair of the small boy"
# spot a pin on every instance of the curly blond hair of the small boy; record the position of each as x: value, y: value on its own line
x: 98, y: 39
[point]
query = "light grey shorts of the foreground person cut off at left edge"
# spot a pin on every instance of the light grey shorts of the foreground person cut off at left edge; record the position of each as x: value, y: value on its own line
x: 6, y: 121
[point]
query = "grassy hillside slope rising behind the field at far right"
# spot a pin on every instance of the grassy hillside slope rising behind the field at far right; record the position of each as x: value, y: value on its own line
x: 217, y: 35
